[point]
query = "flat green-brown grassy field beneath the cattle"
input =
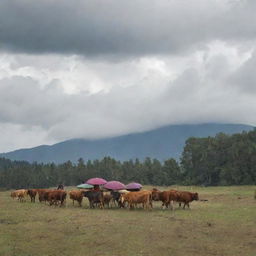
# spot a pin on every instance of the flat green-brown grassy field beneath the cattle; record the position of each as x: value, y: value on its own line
x: 223, y: 225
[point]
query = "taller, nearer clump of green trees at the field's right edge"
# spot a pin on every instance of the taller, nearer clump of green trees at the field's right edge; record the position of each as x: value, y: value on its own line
x: 220, y: 160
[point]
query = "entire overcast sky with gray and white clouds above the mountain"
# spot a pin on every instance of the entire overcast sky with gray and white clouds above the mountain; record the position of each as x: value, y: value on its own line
x: 94, y: 69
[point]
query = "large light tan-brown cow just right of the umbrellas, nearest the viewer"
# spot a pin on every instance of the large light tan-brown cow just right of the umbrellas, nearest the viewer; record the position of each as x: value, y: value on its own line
x: 138, y: 197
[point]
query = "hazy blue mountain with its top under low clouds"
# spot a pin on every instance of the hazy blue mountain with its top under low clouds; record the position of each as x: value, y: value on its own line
x: 161, y: 143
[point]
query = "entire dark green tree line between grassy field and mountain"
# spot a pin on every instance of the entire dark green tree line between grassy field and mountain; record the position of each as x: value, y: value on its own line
x: 220, y: 160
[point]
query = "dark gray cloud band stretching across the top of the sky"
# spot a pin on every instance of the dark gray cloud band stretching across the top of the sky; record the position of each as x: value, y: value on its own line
x: 128, y: 28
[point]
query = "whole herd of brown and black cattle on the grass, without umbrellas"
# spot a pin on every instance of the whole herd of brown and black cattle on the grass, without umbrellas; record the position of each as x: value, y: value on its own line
x: 108, y: 199
